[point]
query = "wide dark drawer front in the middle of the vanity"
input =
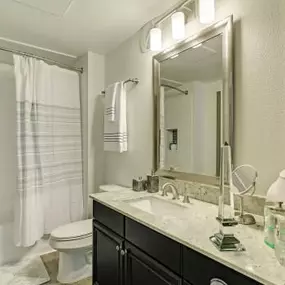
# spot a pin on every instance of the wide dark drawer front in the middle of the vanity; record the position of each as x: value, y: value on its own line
x: 163, y: 249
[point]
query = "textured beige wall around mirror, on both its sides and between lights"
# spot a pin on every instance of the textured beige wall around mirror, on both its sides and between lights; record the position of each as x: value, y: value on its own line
x: 259, y: 92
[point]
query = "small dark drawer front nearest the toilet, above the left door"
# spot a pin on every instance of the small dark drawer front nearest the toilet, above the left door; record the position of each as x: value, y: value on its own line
x: 109, y: 218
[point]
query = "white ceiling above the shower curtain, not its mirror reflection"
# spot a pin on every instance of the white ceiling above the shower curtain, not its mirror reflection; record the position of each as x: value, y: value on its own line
x: 76, y: 26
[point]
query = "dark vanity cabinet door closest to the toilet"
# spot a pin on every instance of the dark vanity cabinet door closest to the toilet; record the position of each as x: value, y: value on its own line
x: 107, y: 257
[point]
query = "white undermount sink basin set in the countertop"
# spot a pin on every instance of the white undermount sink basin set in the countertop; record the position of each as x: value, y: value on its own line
x: 156, y: 206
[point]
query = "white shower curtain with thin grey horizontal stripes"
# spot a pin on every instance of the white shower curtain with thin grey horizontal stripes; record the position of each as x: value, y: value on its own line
x: 49, y: 151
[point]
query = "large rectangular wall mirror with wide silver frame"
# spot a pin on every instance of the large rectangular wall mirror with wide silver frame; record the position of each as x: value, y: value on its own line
x: 193, y: 96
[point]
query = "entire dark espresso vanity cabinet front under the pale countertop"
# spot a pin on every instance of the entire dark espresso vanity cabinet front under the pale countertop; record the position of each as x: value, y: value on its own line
x: 126, y: 252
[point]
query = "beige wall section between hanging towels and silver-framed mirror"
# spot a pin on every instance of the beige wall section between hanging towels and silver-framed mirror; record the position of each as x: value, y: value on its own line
x: 127, y: 61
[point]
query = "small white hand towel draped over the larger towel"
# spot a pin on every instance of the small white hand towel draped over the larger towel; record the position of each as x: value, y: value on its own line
x: 110, y: 101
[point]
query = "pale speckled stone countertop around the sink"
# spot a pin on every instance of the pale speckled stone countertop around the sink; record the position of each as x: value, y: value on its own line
x: 193, y: 230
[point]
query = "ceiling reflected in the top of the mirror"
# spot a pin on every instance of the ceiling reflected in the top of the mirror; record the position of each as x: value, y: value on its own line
x: 203, y: 63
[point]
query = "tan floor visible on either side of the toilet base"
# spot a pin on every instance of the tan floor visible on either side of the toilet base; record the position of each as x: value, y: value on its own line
x: 50, y: 261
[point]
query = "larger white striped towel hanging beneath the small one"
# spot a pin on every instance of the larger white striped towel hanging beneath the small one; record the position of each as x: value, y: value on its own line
x: 115, y: 133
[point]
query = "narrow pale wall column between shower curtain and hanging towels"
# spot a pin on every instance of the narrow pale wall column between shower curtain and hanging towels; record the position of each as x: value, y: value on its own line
x: 92, y: 83
